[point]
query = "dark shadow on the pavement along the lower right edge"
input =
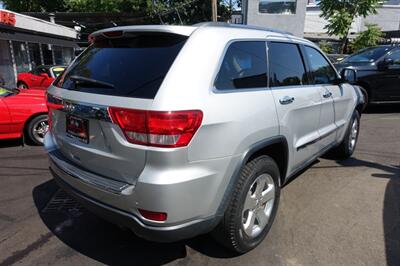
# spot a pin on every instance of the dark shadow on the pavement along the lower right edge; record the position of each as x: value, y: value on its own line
x: 391, y: 206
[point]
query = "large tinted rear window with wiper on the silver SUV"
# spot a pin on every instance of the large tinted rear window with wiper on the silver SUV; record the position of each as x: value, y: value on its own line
x: 130, y: 67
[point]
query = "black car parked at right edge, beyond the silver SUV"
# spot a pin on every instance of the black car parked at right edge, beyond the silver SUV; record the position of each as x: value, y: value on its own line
x: 378, y: 73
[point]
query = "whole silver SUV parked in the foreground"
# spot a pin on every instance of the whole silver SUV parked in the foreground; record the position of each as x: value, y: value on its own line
x: 176, y: 131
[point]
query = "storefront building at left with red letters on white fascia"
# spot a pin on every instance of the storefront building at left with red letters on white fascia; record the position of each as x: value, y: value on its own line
x: 26, y: 42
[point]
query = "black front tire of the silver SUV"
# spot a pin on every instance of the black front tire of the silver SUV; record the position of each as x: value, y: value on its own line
x: 345, y: 150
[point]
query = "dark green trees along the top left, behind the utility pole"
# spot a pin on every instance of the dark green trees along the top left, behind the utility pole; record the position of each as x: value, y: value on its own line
x: 155, y: 11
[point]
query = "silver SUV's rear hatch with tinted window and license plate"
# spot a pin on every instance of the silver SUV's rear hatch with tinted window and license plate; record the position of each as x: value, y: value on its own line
x: 119, y: 69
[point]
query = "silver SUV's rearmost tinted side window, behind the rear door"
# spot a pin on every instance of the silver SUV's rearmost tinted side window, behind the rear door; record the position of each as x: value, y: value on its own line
x: 244, y: 66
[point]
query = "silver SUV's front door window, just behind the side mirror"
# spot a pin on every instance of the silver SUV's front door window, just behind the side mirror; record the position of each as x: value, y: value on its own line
x: 320, y: 68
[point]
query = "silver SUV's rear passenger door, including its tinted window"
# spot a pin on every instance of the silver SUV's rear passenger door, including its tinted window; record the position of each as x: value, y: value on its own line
x: 298, y: 103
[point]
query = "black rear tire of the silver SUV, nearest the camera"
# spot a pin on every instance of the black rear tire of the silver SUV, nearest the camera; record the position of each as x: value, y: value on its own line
x: 230, y: 232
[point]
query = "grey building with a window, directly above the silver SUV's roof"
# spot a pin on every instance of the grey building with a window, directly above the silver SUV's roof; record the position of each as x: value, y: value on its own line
x: 285, y: 15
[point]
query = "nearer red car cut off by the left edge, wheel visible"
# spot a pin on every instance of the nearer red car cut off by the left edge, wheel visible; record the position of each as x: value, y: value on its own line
x: 23, y: 113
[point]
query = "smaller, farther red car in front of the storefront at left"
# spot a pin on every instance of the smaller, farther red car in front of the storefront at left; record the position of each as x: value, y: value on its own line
x: 40, y: 77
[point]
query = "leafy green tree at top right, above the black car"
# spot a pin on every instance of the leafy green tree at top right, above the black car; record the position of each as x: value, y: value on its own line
x: 340, y: 14
